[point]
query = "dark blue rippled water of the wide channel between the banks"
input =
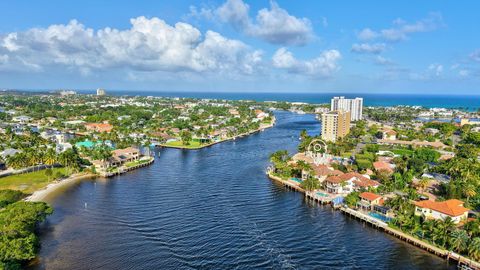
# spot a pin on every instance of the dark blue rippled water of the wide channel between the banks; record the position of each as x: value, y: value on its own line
x: 214, y: 209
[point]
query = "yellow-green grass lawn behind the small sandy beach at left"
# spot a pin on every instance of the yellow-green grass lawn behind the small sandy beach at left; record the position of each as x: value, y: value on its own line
x: 29, y: 182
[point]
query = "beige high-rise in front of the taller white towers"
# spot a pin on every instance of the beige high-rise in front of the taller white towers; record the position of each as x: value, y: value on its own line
x: 335, y: 124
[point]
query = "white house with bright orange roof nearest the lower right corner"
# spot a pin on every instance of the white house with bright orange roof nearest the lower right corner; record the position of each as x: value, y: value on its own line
x: 441, y: 210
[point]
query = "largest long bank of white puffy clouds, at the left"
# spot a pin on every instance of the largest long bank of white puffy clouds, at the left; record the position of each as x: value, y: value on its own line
x: 150, y: 44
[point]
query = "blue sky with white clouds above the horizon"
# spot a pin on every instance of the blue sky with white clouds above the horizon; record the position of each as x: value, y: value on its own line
x: 234, y: 45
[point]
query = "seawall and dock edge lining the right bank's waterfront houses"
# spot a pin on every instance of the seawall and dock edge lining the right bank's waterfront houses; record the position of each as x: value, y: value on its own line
x: 463, y: 262
